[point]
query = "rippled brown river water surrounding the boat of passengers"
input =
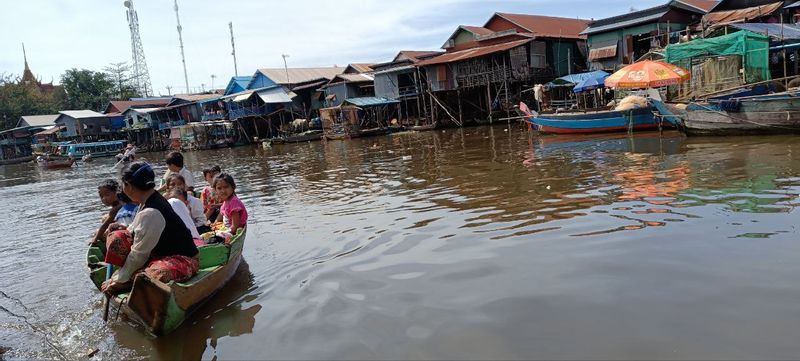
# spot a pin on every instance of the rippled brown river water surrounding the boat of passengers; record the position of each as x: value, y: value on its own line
x: 474, y: 243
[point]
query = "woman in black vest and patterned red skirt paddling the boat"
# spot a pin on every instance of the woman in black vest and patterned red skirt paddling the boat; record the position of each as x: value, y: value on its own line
x: 156, y: 243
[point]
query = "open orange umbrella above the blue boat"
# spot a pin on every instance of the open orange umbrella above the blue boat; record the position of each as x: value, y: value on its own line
x: 647, y: 74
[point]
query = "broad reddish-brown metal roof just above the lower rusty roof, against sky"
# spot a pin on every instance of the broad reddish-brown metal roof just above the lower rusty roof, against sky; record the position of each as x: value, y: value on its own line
x: 547, y: 26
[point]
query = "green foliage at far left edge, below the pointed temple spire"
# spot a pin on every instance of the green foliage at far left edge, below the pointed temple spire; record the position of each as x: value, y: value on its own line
x: 18, y: 99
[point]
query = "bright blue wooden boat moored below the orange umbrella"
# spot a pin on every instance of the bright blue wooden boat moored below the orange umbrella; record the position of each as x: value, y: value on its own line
x: 605, y: 121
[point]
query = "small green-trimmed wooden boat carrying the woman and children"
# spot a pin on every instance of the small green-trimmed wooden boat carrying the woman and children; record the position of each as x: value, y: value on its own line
x: 162, y: 307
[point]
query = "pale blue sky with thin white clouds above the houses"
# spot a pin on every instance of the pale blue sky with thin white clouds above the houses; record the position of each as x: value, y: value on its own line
x: 90, y: 34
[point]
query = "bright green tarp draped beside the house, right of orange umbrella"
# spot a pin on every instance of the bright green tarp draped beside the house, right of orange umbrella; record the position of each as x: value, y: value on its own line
x: 753, y: 47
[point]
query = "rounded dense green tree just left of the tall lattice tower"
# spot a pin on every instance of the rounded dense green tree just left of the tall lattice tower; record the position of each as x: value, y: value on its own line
x: 87, y: 89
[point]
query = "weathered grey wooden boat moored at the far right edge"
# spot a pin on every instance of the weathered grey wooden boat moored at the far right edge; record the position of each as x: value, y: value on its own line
x: 765, y: 114
